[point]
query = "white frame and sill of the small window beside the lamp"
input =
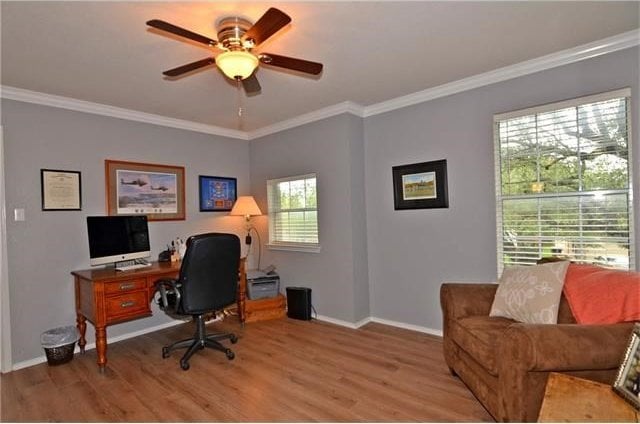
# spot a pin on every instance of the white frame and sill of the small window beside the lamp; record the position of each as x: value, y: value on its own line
x: 292, y: 246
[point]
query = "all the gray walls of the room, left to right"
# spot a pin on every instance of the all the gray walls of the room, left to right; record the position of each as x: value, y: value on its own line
x: 374, y: 261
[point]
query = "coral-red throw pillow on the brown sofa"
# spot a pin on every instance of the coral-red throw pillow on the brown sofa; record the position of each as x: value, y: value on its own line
x: 599, y: 295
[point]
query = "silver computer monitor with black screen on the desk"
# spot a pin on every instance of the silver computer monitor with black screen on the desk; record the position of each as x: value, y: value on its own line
x: 117, y: 238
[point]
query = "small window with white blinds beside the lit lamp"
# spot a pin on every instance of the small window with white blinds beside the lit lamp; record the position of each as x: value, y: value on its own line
x: 293, y: 213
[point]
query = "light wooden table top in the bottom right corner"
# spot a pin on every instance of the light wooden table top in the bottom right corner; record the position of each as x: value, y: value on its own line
x: 572, y: 399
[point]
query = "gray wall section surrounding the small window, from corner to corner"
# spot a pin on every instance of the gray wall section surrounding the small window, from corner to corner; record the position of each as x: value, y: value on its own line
x: 332, y: 148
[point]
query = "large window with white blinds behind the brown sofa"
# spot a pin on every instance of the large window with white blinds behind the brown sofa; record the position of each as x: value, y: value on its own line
x: 563, y: 182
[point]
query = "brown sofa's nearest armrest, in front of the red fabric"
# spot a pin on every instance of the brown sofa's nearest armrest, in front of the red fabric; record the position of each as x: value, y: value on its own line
x: 528, y: 352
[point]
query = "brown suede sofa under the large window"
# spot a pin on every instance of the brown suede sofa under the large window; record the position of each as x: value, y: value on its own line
x: 506, y: 363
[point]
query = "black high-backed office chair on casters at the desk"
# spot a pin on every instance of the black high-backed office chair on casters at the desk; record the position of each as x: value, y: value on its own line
x: 208, y: 282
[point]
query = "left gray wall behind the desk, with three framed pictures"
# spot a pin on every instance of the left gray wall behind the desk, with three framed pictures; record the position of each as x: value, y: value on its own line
x: 48, y: 245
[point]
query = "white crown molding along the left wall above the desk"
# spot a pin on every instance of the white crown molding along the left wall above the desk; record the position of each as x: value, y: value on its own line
x: 22, y: 95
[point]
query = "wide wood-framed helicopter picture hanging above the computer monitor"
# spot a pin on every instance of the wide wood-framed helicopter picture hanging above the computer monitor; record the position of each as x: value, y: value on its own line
x: 145, y: 189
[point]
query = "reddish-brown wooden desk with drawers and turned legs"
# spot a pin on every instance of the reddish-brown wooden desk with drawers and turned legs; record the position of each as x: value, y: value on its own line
x: 105, y: 296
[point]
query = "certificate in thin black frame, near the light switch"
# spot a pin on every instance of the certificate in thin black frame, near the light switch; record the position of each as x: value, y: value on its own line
x: 61, y: 190
